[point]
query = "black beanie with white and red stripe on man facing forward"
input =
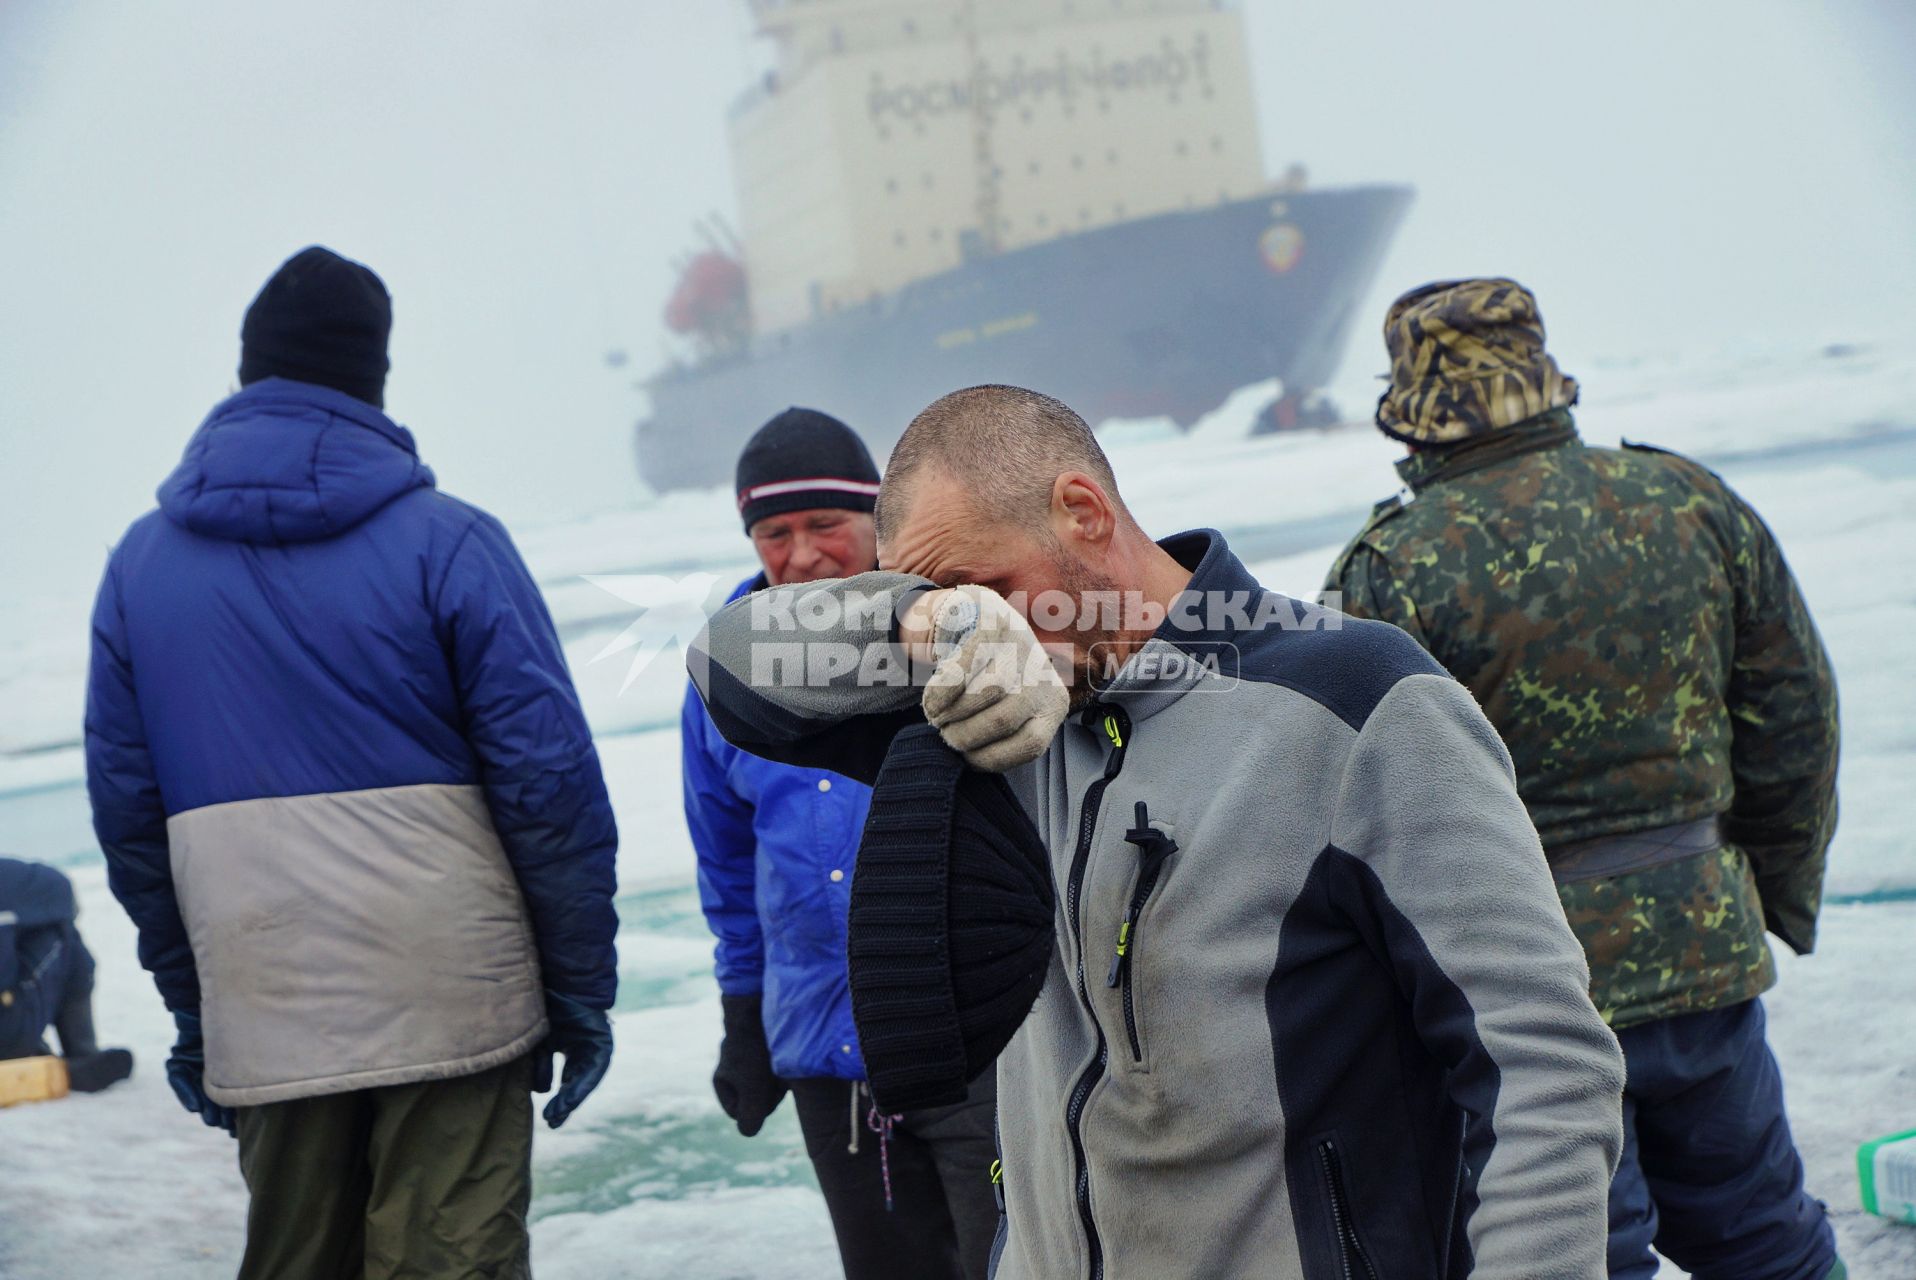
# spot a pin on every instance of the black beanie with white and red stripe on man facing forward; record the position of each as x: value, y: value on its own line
x: 802, y: 461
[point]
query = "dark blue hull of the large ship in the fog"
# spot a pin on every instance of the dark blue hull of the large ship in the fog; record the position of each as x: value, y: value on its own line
x: 1158, y: 317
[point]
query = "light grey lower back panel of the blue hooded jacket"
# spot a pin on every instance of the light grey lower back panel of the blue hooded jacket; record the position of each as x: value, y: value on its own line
x: 355, y: 940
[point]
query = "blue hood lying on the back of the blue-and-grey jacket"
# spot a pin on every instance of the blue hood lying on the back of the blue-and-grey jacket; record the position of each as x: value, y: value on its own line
x: 290, y: 463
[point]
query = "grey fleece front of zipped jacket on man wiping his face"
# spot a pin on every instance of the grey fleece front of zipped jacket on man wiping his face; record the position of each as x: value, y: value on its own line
x: 1185, y: 1141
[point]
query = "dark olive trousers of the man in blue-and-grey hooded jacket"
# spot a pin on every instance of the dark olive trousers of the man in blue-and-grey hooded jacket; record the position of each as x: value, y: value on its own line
x: 407, y: 1183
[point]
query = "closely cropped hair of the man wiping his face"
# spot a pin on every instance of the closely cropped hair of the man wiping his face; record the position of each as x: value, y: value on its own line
x: 1007, y: 446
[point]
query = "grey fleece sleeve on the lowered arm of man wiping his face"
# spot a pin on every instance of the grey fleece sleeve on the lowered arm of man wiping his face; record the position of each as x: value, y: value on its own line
x: 1469, y: 873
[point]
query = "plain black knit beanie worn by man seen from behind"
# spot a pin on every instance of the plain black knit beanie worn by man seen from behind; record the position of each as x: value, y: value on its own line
x: 321, y: 319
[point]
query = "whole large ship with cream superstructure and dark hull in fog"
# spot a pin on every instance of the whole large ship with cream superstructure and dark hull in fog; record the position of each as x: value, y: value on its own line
x: 934, y: 193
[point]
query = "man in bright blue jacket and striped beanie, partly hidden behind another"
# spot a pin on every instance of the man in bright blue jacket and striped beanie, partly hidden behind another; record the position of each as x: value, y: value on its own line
x: 909, y: 1195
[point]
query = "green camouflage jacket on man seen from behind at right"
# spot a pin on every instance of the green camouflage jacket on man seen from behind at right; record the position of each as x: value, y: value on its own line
x: 1633, y: 631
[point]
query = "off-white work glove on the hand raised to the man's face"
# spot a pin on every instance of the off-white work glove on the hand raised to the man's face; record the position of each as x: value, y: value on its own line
x: 995, y: 695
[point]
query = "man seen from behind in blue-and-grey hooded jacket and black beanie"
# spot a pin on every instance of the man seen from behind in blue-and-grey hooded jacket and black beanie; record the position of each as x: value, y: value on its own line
x: 350, y: 800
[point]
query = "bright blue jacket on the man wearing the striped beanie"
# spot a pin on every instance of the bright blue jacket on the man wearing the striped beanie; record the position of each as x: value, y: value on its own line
x: 777, y: 850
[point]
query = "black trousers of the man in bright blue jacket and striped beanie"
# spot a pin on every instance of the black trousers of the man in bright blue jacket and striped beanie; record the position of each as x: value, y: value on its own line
x: 944, y: 1210
